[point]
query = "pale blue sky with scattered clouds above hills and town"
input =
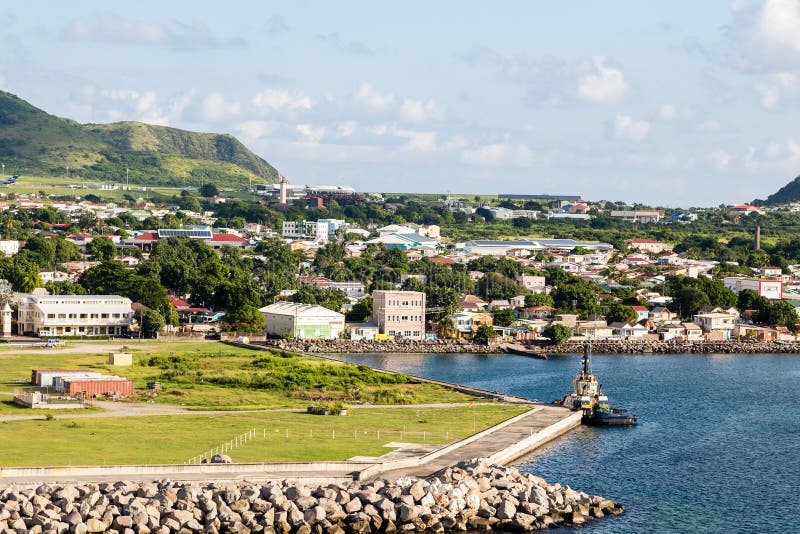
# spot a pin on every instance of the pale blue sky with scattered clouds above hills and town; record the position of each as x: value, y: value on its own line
x: 676, y: 104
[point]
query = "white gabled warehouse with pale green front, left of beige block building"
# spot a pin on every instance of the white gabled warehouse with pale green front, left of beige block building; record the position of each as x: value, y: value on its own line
x: 303, y: 321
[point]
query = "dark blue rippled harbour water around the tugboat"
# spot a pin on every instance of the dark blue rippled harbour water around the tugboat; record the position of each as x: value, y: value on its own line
x: 717, y: 447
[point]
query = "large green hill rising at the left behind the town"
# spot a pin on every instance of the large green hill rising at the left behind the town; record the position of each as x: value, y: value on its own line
x: 35, y: 142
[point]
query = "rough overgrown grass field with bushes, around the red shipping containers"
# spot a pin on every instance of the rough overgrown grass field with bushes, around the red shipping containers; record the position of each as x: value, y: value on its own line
x: 218, y: 376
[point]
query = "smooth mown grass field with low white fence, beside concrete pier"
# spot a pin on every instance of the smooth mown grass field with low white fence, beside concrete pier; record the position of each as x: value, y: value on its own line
x: 177, y: 439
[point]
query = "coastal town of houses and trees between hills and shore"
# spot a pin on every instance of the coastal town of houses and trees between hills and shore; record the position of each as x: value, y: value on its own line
x: 331, y: 278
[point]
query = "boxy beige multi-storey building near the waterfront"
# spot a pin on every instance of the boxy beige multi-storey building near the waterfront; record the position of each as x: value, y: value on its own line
x: 399, y: 313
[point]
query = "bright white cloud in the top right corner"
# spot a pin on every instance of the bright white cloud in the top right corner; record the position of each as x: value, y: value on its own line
x: 765, y: 36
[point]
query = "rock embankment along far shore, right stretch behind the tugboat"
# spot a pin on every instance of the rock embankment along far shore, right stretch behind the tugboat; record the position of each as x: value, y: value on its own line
x: 675, y: 347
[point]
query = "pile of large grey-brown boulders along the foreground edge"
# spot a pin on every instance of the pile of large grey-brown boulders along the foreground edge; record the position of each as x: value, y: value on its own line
x: 471, y: 495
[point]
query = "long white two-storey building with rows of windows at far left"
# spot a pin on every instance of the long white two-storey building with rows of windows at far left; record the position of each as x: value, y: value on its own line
x: 74, y: 315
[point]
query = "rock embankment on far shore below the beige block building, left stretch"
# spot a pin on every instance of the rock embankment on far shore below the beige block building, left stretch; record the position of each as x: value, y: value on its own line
x: 341, y: 346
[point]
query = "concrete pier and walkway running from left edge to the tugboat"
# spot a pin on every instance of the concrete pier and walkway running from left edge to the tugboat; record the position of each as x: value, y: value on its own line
x: 501, y: 443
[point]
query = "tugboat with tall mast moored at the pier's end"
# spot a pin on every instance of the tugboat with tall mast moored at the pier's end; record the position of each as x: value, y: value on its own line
x: 587, y: 395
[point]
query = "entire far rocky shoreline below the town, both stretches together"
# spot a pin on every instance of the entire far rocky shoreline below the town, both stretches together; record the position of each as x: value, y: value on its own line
x: 342, y: 346
